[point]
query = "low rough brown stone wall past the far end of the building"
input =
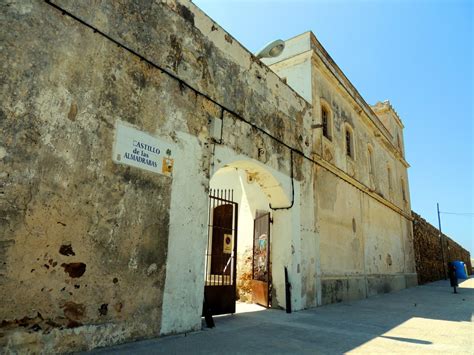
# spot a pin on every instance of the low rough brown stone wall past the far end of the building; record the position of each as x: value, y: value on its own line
x: 428, y: 255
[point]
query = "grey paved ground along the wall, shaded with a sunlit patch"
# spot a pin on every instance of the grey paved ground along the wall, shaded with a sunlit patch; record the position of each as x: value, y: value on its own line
x: 423, y: 319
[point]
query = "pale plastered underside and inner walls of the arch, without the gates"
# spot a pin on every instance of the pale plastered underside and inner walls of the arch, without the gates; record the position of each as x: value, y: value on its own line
x: 258, y: 188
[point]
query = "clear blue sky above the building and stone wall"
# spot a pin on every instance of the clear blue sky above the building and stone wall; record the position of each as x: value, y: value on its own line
x: 417, y: 54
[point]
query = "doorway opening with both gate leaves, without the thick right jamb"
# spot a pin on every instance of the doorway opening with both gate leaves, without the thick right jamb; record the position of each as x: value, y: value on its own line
x: 238, y: 255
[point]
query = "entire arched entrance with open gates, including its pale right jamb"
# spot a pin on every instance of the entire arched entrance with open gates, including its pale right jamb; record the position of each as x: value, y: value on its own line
x: 246, y: 254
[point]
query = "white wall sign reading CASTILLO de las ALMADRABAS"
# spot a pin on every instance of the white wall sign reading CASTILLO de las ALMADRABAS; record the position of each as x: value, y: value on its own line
x: 142, y: 150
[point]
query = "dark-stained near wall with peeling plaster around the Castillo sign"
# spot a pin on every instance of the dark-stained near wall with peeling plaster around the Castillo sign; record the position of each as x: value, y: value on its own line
x: 126, y: 274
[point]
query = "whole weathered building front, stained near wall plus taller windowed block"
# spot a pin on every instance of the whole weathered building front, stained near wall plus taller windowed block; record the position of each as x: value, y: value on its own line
x: 96, y: 253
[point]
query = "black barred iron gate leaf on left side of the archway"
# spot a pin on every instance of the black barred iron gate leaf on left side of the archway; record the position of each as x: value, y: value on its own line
x: 221, y: 252
